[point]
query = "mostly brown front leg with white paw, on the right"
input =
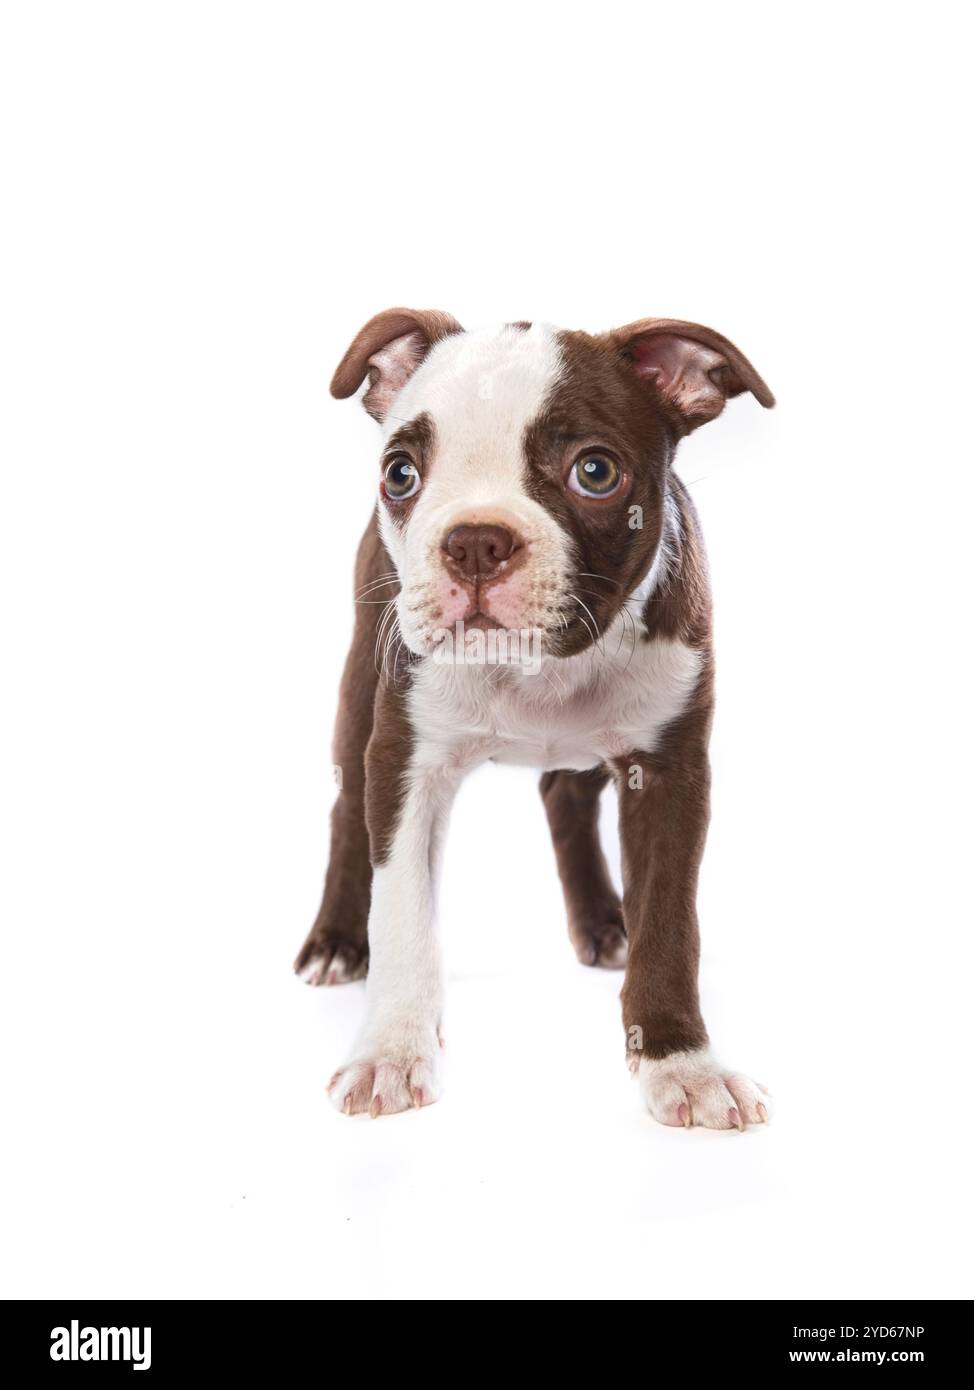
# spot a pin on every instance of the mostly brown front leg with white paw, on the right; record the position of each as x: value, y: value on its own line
x: 665, y: 808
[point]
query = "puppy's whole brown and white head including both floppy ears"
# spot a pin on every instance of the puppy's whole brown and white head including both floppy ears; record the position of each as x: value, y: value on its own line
x: 523, y: 473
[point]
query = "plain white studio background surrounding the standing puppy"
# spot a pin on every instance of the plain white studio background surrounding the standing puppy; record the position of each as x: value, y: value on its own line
x: 202, y: 205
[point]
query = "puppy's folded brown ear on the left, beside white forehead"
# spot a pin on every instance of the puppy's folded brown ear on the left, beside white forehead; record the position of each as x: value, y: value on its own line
x: 390, y: 348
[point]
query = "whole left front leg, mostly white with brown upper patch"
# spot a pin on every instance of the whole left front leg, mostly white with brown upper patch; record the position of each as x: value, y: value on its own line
x: 395, y: 1063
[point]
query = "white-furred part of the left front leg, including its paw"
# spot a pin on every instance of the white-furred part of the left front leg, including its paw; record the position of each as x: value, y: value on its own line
x: 397, y: 1058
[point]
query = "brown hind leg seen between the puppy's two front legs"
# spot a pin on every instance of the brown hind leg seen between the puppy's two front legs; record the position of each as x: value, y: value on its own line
x: 595, y: 913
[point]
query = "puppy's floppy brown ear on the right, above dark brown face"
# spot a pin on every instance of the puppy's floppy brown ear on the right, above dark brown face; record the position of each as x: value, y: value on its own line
x: 693, y: 368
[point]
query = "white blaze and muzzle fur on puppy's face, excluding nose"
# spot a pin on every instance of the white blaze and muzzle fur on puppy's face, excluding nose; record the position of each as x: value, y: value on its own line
x: 481, y: 391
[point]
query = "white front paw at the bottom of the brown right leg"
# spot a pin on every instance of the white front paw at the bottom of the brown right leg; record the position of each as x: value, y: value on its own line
x: 693, y: 1089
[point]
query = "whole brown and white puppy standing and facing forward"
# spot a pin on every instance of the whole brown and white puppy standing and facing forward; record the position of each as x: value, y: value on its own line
x: 533, y: 590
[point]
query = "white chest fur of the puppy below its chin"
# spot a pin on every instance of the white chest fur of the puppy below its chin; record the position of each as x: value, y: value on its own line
x: 573, y: 714
